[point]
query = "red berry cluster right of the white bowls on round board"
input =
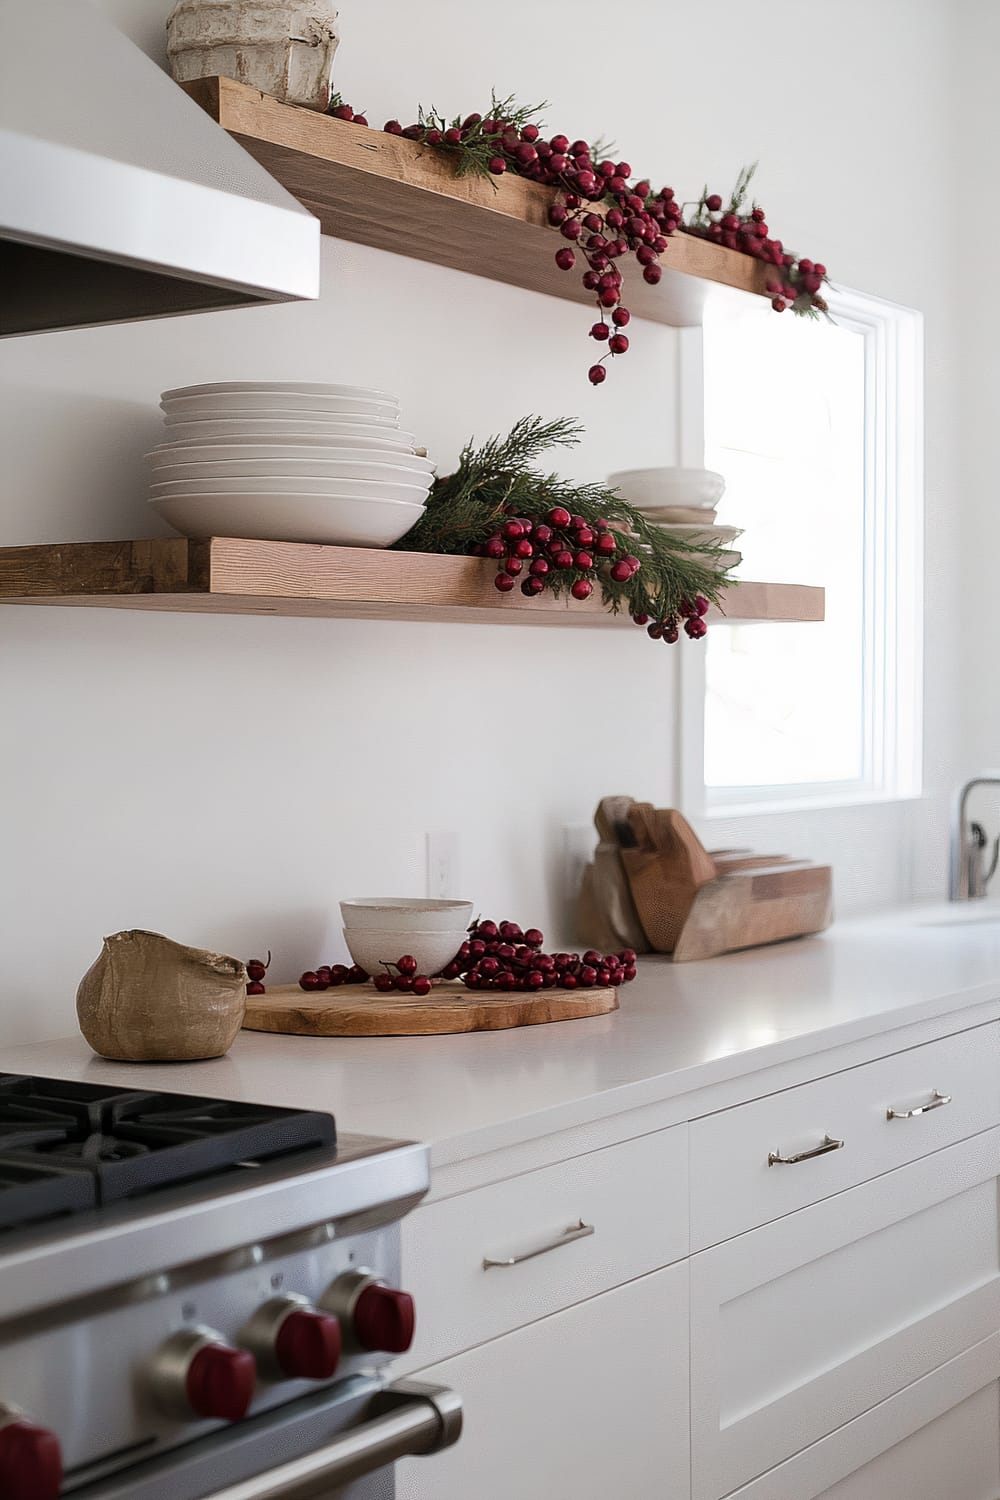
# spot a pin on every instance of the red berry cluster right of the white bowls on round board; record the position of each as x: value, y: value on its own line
x: 500, y: 956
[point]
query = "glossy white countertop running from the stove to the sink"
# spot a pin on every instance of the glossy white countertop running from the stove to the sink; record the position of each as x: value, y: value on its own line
x: 680, y: 1028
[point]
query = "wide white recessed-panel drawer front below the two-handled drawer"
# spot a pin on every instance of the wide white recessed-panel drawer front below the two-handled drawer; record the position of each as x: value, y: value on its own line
x: 806, y: 1324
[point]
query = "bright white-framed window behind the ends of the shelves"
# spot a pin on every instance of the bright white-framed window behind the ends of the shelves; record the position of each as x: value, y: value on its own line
x: 818, y: 431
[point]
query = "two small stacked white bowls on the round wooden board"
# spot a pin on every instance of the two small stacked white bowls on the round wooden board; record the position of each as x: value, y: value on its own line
x: 379, y: 931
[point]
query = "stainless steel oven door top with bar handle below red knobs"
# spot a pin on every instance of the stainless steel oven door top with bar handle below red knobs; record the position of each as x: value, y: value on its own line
x: 322, y: 1448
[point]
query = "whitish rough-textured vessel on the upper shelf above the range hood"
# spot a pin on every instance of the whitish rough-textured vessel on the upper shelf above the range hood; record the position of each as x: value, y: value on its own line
x: 283, y: 47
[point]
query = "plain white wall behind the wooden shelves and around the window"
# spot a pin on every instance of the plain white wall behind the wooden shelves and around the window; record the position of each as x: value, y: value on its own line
x: 226, y: 779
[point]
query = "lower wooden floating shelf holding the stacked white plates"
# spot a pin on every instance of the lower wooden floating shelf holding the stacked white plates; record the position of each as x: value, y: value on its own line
x: 229, y: 577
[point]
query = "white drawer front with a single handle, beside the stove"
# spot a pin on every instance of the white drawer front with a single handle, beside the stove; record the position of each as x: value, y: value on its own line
x: 633, y: 1196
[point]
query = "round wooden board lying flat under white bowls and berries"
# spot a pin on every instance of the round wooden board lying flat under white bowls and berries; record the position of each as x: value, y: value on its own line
x: 359, y: 1010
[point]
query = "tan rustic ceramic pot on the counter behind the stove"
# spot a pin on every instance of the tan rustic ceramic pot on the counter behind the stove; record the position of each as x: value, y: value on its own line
x: 149, y: 1000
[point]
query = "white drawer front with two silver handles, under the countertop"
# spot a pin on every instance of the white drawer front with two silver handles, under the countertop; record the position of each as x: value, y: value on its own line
x: 734, y: 1187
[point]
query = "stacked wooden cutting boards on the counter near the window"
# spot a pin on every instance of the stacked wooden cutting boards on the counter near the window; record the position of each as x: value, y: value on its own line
x: 654, y: 886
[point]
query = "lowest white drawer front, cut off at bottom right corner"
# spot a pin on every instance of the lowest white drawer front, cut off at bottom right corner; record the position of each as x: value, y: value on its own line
x: 936, y: 1441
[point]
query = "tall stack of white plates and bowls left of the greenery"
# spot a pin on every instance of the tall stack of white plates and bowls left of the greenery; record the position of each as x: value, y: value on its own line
x: 289, y: 463
